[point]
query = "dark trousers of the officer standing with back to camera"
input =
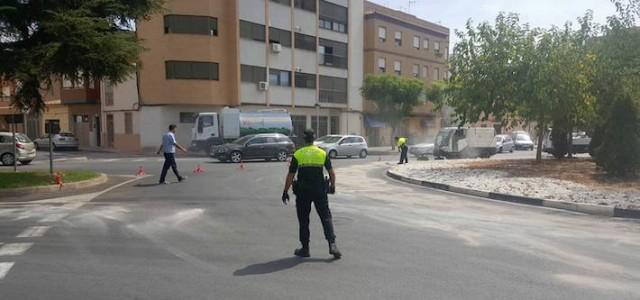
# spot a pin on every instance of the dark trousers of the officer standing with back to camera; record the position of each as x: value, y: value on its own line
x: 303, y: 208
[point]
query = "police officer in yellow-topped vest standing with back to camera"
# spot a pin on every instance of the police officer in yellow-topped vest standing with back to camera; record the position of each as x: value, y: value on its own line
x: 311, y: 186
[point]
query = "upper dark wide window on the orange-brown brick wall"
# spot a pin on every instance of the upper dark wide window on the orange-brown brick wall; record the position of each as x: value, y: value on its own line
x: 191, y: 25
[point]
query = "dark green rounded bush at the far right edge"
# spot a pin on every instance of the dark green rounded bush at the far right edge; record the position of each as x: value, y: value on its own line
x: 619, y: 150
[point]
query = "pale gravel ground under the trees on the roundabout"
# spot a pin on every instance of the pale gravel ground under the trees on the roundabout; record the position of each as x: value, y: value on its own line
x: 454, y: 173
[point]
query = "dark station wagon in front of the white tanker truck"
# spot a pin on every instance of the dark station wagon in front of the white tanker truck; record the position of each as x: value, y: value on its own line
x: 257, y: 146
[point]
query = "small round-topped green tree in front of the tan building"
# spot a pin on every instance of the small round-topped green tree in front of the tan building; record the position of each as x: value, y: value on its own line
x: 395, y: 97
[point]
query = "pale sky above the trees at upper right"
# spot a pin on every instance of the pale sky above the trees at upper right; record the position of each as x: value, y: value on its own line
x: 538, y: 13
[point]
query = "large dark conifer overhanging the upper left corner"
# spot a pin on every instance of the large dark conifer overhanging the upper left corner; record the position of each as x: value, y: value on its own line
x: 77, y: 40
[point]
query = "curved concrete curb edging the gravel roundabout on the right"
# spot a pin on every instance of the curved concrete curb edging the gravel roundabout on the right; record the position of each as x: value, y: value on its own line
x: 590, y: 209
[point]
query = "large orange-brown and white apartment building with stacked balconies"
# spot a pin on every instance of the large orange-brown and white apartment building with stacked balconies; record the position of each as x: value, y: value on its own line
x: 304, y: 56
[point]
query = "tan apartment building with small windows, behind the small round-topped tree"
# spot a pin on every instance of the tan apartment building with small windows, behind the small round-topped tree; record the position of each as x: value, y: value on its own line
x: 402, y: 44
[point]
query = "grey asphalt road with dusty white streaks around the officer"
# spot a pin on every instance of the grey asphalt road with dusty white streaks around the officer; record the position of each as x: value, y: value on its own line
x: 224, y: 234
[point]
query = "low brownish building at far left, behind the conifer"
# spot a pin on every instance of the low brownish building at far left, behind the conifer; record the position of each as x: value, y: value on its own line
x: 71, y: 107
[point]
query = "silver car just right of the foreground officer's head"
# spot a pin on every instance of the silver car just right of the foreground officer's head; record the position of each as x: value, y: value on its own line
x: 343, y: 145
